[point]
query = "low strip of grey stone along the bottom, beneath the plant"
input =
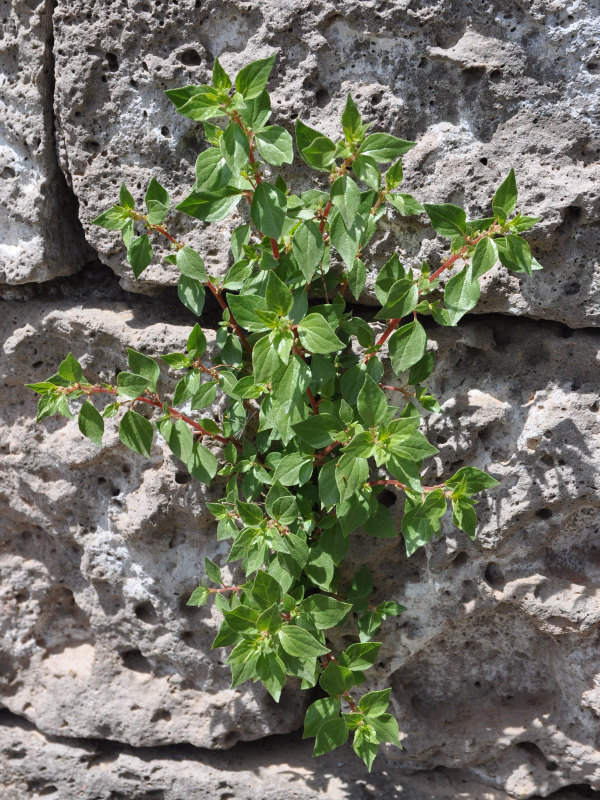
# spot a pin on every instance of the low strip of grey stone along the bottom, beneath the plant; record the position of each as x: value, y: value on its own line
x: 35, y: 766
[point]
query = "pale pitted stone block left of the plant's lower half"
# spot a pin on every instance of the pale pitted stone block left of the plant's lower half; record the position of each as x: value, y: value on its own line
x: 99, y: 553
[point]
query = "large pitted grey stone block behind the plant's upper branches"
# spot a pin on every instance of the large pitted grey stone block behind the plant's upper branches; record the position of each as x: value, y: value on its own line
x: 479, y: 88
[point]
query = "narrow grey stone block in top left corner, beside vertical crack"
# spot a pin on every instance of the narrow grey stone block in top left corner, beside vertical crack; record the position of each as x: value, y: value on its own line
x: 40, y: 235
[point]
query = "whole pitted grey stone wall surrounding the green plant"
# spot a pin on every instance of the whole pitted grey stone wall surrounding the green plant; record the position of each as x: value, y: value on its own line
x: 108, y: 683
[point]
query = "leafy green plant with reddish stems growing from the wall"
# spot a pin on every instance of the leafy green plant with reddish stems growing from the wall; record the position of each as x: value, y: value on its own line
x: 309, y: 438
